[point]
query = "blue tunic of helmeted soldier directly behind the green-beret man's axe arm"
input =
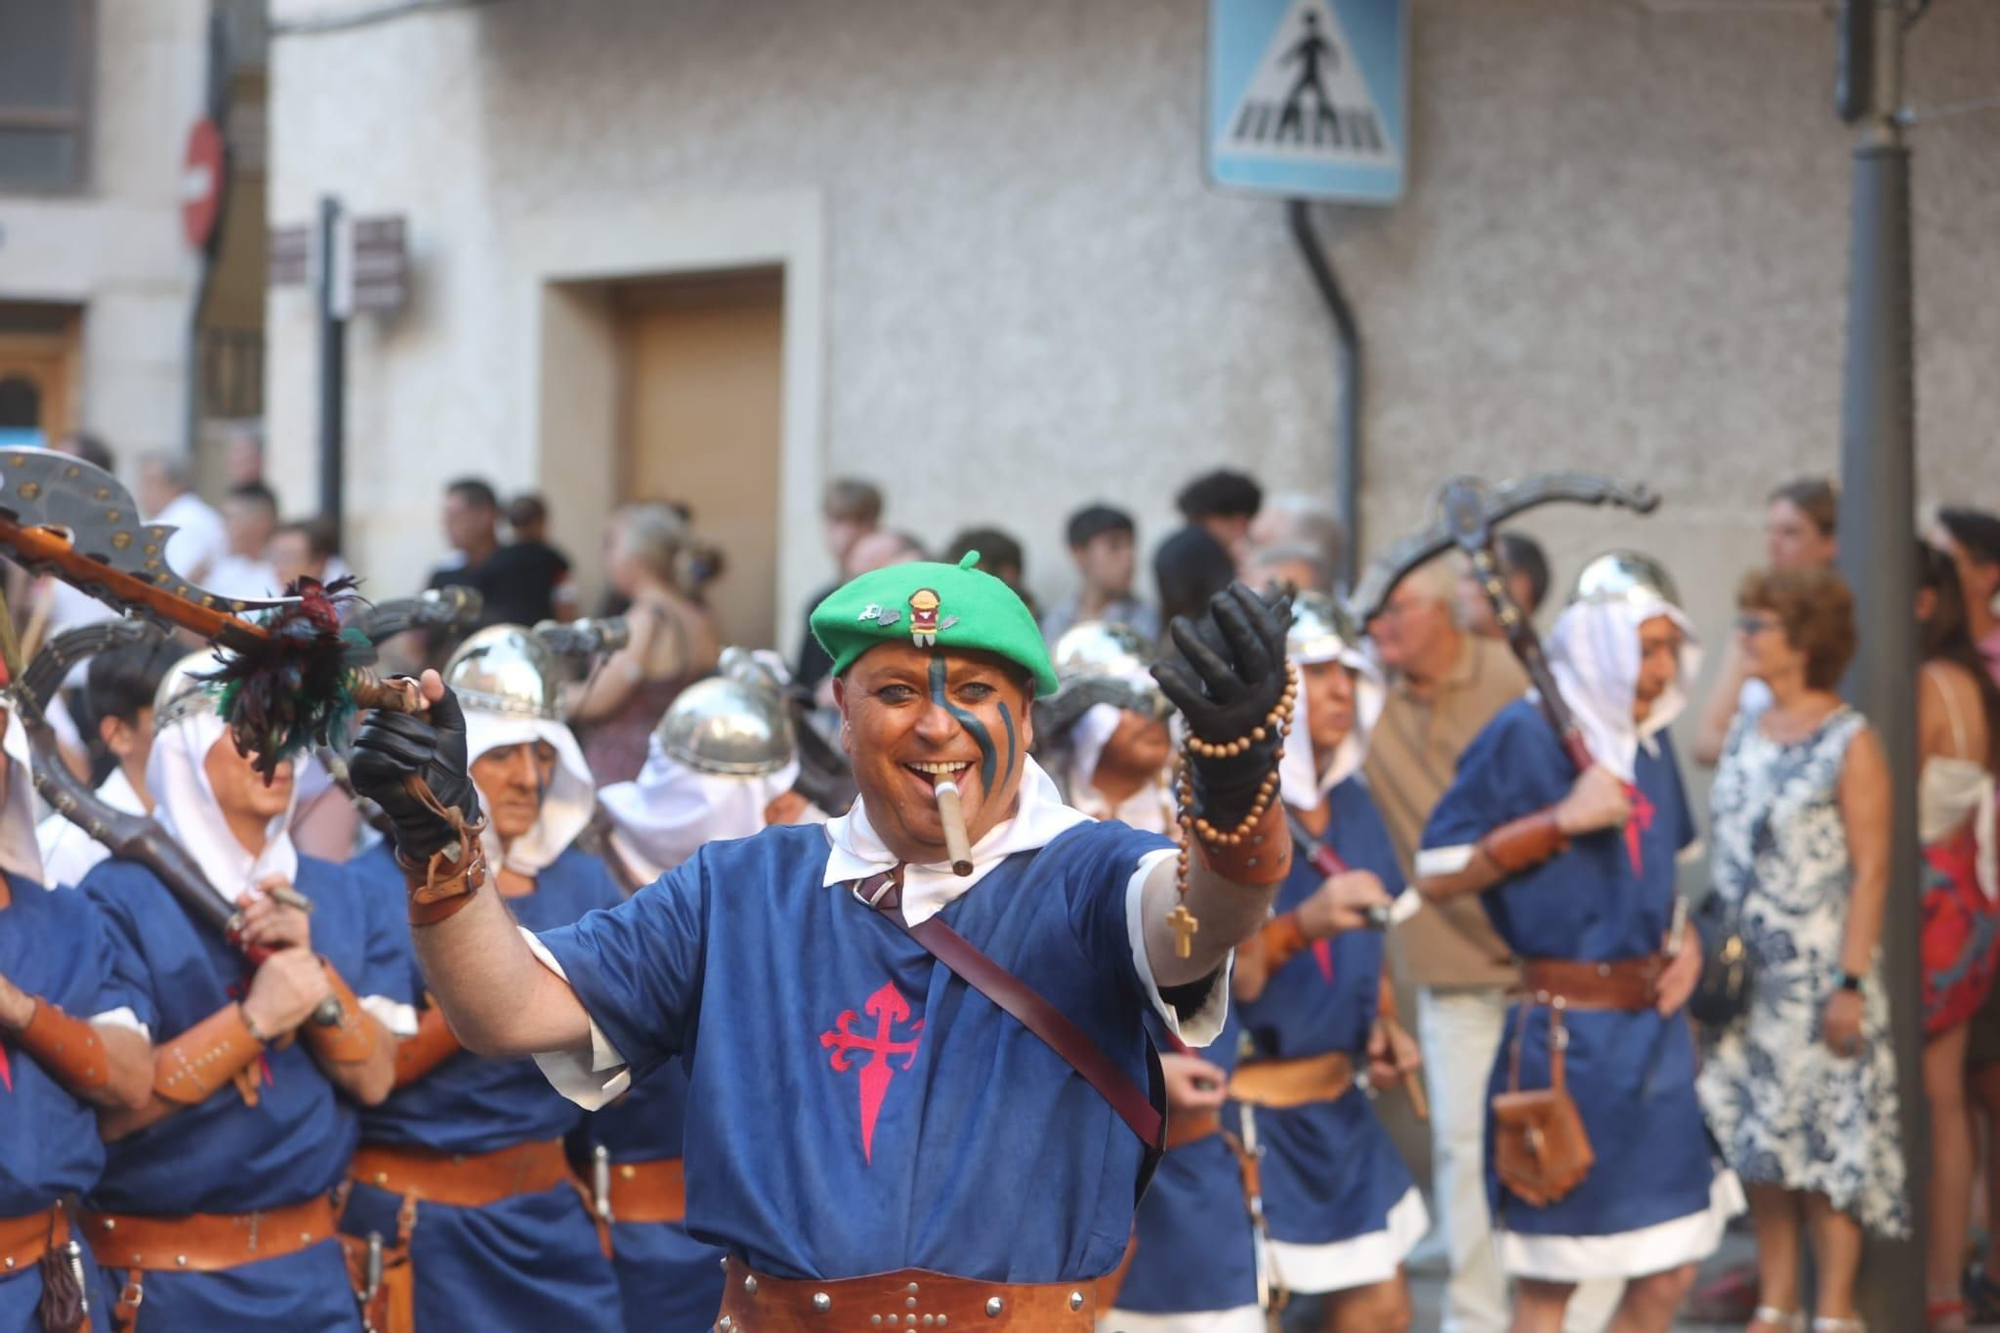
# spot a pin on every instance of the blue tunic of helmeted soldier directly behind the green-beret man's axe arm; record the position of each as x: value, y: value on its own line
x: 525, y: 1262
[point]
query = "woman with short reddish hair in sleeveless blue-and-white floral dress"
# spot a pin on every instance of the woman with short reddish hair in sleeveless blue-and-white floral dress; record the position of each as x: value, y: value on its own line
x: 1801, y: 1090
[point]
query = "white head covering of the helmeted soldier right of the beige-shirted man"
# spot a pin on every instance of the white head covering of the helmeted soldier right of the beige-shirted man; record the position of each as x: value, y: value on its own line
x: 1595, y: 657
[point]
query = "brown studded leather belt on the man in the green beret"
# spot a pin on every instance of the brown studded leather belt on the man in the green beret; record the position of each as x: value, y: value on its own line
x: 913, y: 1298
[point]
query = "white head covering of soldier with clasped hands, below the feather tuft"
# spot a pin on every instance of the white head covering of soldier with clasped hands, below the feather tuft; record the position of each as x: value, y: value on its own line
x: 187, y: 808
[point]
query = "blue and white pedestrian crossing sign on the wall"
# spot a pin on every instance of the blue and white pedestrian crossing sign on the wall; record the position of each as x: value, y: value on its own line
x: 1309, y: 97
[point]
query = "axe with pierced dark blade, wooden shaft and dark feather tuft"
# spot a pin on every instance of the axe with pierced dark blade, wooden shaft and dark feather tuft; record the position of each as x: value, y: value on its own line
x: 289, y: 680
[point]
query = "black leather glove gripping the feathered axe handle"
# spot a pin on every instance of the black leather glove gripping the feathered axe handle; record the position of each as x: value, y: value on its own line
x: 431, y: 746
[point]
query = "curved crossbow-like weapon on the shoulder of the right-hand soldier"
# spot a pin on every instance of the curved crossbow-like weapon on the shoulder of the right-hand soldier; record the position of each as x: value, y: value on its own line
x: 1467, y: 515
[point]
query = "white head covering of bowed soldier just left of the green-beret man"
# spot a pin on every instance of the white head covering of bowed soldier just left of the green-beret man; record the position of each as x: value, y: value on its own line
x: 671, y: 810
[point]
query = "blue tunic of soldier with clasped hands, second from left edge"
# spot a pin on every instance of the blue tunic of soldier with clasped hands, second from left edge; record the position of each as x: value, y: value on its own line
x: 225, y: 1156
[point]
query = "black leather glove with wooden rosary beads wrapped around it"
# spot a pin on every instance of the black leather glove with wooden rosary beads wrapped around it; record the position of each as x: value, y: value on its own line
x: 1229, y: 680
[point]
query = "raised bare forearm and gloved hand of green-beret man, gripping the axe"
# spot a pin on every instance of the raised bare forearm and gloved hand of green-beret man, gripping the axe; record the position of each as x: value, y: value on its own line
x: 497, y: 996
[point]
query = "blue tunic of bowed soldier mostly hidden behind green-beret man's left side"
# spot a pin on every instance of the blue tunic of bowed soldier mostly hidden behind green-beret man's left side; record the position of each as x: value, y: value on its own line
x: 667, y: 1280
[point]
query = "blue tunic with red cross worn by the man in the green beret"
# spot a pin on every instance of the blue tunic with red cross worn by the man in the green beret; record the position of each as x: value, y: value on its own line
x: 859, y: 1108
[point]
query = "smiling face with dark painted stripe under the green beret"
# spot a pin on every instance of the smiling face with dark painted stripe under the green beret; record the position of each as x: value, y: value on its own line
x: 911, y: 718
